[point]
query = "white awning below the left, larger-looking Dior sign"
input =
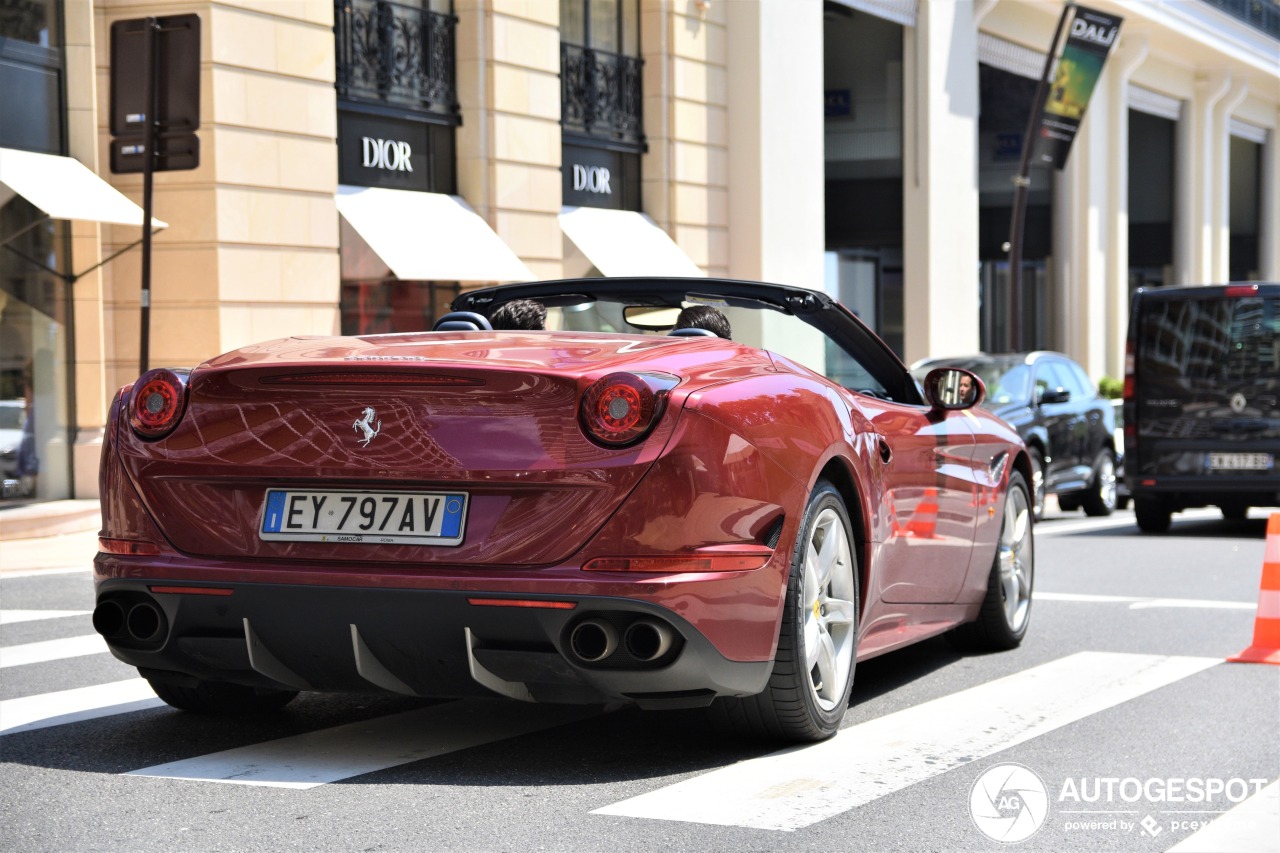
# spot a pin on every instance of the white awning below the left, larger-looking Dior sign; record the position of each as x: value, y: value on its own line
x: 428, y: 236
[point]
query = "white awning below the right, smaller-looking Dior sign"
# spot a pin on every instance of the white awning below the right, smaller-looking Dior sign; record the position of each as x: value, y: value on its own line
x: 624, y: 243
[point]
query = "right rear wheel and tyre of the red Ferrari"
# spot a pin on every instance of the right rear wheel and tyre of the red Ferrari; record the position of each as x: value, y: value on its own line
x: 813, y: 670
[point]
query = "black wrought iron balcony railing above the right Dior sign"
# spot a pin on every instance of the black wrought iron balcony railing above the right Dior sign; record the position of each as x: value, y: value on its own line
x: 602, y: 95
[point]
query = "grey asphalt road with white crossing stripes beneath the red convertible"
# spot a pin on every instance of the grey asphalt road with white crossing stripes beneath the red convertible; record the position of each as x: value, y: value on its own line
x: 1117, y: 727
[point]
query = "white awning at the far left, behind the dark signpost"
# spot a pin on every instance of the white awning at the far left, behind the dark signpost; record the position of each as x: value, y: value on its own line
x: 66, y: 189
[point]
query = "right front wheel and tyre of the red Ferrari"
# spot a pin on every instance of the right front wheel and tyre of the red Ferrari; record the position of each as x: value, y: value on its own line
x: 1007, y: 609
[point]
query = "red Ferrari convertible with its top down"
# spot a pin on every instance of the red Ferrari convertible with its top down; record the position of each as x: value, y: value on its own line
x: 600, y: 512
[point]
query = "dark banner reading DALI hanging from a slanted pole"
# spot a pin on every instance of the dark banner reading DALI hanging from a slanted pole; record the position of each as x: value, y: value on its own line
x: 1075, y: 76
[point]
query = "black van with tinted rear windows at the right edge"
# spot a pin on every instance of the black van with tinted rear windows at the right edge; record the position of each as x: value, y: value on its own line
x: 1203, y: 400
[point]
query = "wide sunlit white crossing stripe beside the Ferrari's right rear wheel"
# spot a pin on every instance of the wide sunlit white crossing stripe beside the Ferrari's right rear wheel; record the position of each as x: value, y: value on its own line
x: 796, y: 788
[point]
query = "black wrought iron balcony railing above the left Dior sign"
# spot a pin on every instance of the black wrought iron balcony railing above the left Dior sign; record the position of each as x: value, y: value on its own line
x: 399, y: 56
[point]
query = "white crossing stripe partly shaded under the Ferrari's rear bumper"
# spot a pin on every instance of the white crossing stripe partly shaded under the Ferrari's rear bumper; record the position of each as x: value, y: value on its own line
x: 341, y: 752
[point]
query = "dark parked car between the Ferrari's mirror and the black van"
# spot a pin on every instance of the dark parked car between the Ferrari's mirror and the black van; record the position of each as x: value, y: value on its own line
x: 1068, y: 426
